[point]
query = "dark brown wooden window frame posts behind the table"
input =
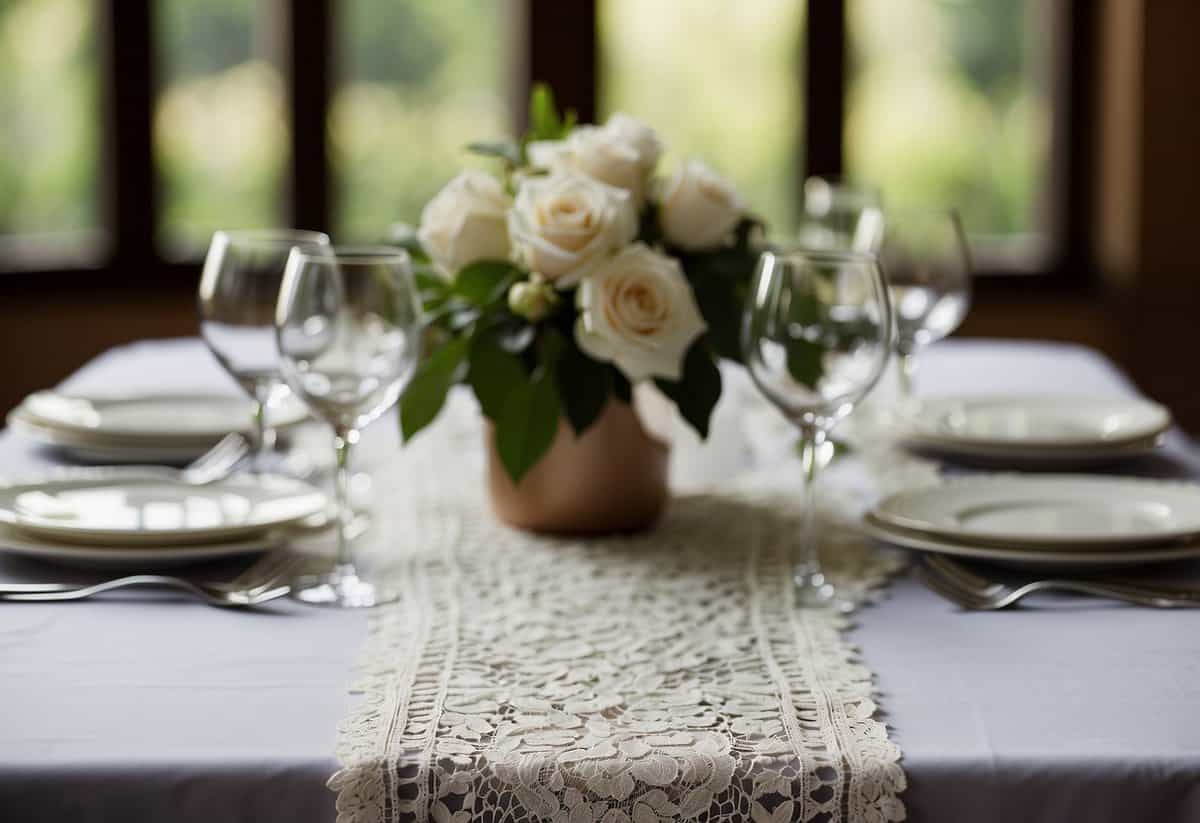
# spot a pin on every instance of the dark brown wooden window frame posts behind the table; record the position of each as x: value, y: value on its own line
x: 550, y: 41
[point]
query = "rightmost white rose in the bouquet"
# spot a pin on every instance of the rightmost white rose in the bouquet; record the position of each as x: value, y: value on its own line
x: 698, y: 208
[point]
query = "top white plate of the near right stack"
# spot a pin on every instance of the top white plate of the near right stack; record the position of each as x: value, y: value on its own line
x: 1049, y: 512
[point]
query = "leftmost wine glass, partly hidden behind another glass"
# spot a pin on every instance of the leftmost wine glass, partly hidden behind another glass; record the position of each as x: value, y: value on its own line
x: 239, y: 289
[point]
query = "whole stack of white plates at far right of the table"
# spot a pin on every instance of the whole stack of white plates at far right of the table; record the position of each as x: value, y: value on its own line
x: 1047, y: 430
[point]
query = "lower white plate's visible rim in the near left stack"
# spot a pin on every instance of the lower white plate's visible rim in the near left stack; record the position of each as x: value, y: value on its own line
x: 131, y: 557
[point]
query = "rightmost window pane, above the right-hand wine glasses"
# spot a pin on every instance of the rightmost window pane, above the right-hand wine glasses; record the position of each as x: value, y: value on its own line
x: 949, y: 106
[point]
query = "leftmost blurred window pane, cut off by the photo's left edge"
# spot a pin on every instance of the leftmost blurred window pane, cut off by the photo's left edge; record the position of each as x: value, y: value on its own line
x: 50, y: 125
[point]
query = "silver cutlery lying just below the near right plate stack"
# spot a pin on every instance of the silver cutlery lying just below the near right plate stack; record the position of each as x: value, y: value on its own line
x: 973, y: 592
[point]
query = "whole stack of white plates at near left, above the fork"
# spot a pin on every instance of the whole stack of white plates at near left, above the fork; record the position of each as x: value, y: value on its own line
x: 152, y: 520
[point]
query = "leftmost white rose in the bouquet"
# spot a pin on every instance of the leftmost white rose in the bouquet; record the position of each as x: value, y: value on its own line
x: 467, y: 221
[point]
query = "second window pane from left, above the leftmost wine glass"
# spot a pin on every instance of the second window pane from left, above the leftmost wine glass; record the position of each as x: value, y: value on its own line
x: 221, y: 130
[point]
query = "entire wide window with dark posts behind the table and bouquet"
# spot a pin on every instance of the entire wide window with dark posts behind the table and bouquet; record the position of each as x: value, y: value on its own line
x: 349, y: 116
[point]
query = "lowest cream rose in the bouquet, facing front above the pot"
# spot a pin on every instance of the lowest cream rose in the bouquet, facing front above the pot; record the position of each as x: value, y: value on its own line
x: 638, y: 311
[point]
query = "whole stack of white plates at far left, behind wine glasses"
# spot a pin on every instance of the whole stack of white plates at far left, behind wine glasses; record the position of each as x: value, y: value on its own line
x: 143, y: 429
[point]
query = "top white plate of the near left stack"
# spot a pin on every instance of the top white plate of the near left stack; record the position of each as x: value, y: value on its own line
x: 155, y: 510
